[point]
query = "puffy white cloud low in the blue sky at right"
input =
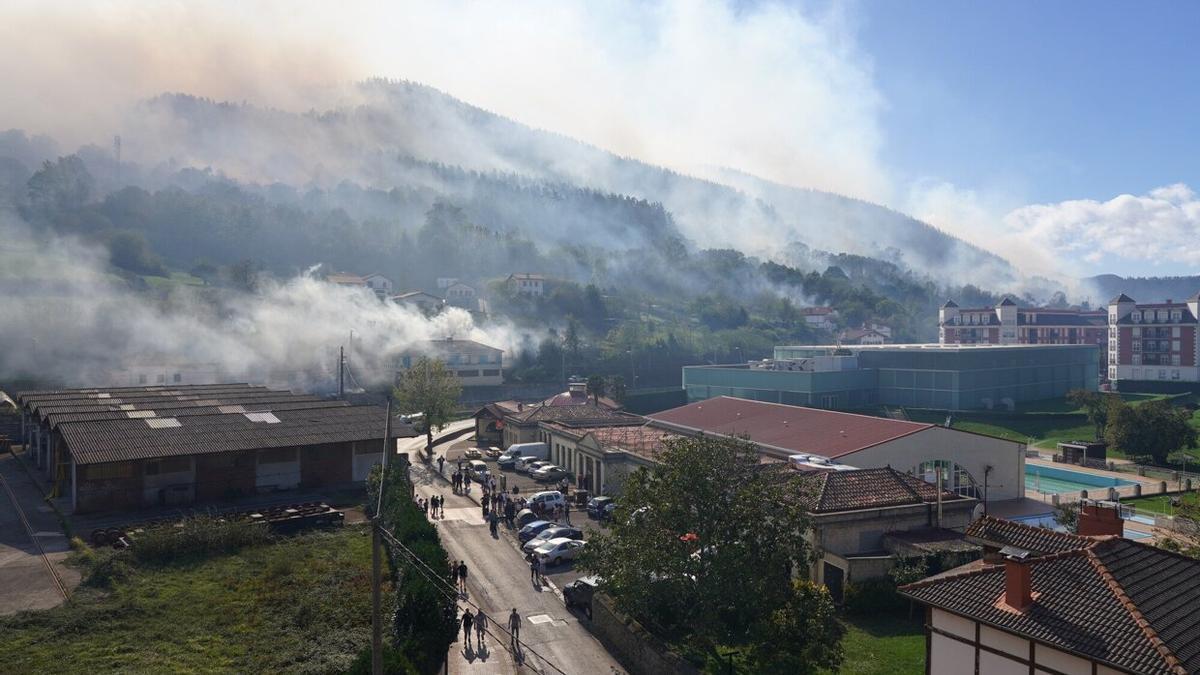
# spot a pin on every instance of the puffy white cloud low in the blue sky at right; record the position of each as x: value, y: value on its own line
x: 1159, y: 228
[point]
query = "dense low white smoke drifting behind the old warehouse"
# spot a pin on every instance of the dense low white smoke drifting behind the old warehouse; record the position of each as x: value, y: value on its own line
x: 67, y: 318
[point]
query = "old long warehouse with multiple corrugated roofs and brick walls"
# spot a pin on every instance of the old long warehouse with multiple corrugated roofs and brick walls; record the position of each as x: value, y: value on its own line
x: 127, y: 449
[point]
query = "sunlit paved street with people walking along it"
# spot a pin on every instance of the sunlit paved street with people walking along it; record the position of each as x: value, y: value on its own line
x: 499, y: 582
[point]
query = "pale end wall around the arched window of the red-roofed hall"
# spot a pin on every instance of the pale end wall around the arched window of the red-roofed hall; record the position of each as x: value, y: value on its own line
x: 973, y: 452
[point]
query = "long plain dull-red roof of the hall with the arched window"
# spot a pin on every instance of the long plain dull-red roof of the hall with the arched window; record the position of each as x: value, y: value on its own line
x: 791, y: 429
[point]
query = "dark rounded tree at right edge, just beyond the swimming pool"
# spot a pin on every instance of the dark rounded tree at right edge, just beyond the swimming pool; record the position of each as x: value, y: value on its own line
x: 1154, y: 429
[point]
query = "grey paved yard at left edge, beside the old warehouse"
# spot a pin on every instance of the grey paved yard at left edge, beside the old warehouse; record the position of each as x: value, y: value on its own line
x: 26, y: 583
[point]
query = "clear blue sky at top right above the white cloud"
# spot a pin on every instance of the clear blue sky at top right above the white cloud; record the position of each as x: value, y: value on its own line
x: 1060, y: 100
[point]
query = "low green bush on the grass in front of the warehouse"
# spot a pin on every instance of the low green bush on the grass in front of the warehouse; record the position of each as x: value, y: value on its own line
x: 197, y: 537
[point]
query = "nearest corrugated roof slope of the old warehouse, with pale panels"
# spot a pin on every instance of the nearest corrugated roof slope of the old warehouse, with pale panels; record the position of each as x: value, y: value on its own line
x: 123, y: 440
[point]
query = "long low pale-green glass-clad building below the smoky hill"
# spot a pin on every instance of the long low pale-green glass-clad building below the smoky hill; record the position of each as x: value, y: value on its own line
x: 945, y: 379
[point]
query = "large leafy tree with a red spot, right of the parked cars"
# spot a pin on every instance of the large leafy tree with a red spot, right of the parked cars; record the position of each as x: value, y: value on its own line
x: 704, y: 547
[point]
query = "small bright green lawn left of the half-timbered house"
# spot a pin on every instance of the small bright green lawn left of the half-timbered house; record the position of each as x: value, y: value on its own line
x: 884, y: 646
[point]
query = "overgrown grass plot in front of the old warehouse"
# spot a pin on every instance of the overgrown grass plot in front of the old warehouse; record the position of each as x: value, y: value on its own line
x: 302, y: 604
